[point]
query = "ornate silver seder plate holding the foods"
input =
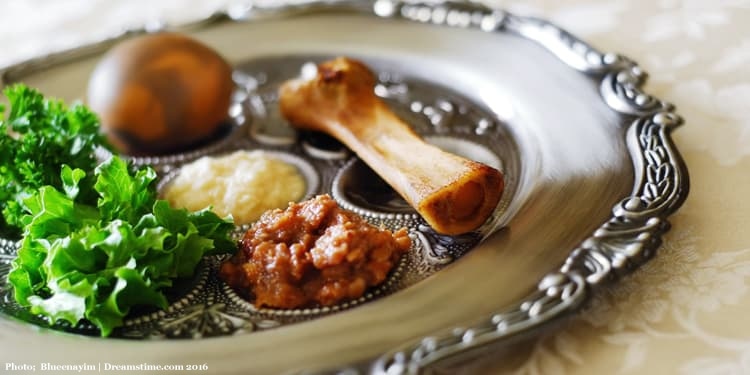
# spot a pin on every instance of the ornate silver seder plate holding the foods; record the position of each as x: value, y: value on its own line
x: 592, y: 176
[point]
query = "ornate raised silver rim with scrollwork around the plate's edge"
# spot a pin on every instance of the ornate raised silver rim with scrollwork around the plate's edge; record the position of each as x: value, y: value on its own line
x: 623, y: 243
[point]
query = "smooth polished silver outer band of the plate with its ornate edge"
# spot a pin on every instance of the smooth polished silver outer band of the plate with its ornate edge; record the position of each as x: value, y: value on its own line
x: 598, y: 176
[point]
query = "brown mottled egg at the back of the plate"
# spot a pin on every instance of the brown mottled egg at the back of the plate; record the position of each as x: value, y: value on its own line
x: 160, y: 93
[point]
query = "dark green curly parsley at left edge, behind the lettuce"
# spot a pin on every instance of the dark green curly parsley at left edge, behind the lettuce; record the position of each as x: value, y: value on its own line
x: 38, y: 136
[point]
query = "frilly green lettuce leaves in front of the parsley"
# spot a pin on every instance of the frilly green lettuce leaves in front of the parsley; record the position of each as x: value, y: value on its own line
x: 79, y: 260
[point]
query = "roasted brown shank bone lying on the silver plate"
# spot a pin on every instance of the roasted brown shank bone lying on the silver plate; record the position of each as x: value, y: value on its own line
x: 453, y: 194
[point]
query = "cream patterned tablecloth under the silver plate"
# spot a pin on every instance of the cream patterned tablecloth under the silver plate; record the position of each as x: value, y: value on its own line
x: 683, y: 312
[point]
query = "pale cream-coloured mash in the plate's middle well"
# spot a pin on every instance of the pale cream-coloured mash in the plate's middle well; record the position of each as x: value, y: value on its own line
x: 243, y: 184
